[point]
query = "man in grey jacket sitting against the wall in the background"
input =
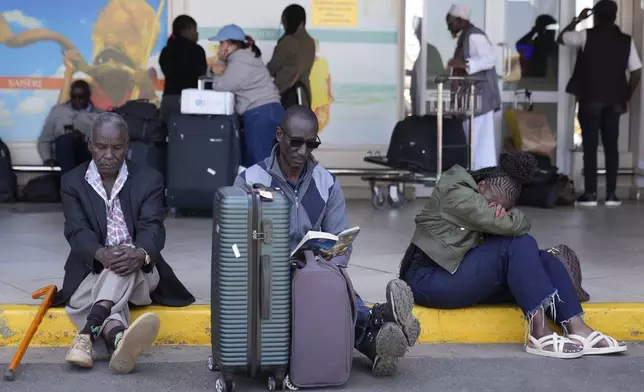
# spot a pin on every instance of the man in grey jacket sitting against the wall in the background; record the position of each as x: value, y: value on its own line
x: 63, y: 140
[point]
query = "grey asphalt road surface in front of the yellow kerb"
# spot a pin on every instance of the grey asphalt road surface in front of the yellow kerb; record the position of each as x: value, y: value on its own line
x: 444, y: 368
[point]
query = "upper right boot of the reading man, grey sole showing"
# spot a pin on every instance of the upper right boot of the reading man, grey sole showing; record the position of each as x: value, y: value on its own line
x: 398, y: 309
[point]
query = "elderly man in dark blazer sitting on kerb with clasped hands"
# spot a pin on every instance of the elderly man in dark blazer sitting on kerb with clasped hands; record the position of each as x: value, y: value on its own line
x: 114, y: 225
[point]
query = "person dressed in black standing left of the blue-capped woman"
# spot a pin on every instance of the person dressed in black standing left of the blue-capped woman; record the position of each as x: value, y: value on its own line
x: 182, y: 61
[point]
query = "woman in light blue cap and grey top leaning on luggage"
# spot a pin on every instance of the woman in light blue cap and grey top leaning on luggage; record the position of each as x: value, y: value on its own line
x: 242, y: 72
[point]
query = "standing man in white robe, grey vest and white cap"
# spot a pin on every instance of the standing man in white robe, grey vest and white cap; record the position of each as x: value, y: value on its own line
x: 474, y: 56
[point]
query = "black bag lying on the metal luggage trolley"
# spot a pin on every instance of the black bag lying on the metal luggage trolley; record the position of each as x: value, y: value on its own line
x: 413, y: 144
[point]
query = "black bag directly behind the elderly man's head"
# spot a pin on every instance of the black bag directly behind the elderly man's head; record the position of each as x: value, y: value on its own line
x: 143, y: 120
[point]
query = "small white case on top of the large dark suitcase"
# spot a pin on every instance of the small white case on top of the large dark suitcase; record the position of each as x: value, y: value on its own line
x: 207, y: 102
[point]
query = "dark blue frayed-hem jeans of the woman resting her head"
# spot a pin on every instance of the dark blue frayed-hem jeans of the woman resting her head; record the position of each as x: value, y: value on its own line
x: 501, y: 269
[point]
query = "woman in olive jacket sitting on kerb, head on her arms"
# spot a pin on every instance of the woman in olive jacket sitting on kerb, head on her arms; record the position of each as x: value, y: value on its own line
x: 472, y: 247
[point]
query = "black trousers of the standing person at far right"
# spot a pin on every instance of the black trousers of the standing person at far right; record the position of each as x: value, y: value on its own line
x: 593, y: 118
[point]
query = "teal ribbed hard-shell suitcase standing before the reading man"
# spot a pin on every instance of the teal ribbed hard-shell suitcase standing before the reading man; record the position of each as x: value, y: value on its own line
x: 250, y: 286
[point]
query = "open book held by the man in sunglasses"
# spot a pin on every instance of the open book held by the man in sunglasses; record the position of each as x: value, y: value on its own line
x: 327, y: 245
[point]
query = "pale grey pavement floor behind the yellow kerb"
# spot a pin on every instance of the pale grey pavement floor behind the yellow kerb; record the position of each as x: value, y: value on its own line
x: 608, y: 241
